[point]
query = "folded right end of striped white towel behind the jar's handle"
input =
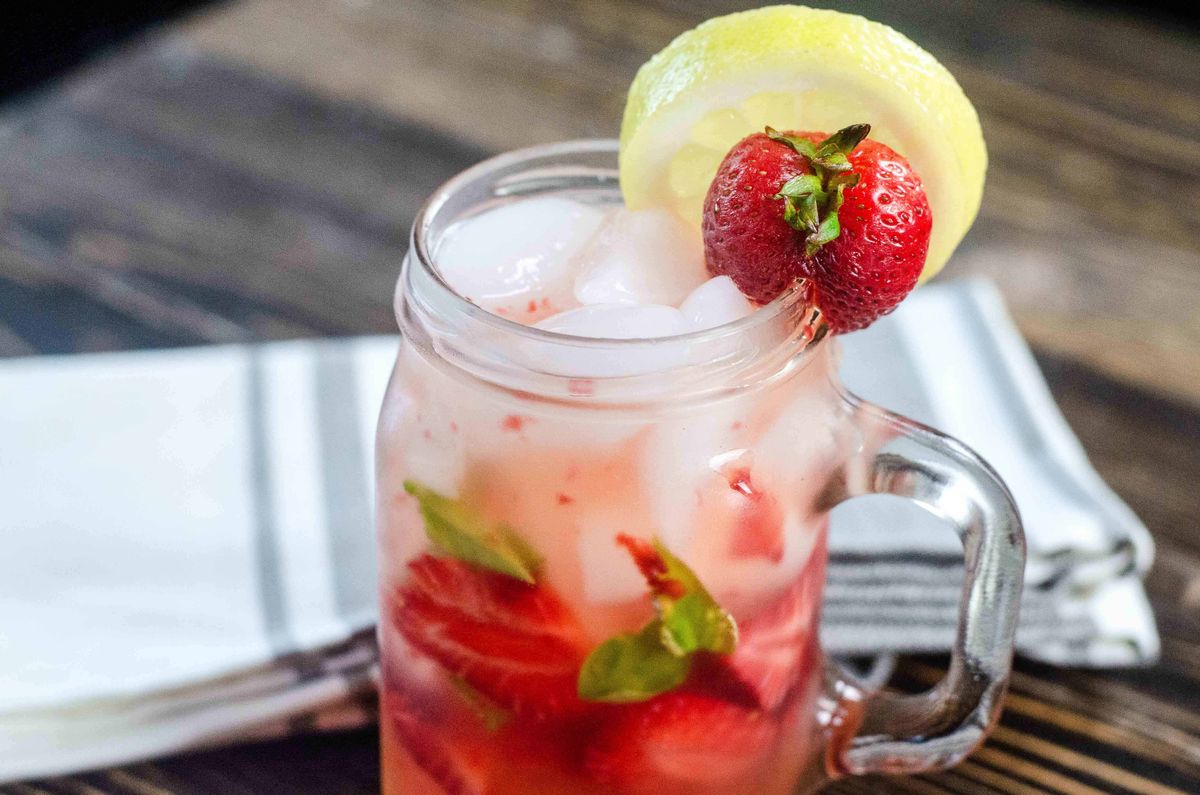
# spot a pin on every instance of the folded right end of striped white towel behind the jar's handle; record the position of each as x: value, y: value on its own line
x: 951, y: 357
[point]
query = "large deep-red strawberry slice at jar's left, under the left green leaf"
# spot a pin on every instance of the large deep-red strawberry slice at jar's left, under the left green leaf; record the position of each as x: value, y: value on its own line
x: 515, y: 643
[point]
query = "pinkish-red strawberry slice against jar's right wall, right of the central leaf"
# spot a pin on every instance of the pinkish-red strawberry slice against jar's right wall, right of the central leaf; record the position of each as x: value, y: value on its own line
x: 778, y: 647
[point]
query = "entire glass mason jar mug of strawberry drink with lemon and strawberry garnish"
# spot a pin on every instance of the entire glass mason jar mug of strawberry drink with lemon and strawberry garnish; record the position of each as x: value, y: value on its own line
x: 615, y: 433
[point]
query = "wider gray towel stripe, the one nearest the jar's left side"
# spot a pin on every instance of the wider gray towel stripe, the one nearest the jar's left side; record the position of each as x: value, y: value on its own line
x: 349, y: 515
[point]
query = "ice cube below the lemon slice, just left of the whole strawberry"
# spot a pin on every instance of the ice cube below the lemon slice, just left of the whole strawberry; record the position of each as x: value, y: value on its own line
x: 641, y: 258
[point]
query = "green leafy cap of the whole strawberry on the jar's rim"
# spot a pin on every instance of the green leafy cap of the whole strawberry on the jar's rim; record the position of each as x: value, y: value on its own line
x: 812, y: 201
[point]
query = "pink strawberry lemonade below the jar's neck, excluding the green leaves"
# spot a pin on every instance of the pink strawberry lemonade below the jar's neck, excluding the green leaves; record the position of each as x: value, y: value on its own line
x: 482, y: 670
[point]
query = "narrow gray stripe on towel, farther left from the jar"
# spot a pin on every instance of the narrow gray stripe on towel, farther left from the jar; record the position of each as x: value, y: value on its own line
x: 267, y: 554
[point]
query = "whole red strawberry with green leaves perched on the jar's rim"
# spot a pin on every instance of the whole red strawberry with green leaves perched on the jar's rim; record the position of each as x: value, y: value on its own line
x: 844, y: 212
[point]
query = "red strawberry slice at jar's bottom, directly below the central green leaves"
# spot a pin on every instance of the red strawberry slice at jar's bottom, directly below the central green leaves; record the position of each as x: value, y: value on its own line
x: 683, y: 743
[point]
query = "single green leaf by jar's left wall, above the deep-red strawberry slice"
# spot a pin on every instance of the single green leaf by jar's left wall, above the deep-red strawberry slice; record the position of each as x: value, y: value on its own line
x: 458, y: 530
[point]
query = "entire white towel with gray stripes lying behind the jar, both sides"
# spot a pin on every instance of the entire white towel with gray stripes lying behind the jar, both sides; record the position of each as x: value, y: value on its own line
x: 188, y: 555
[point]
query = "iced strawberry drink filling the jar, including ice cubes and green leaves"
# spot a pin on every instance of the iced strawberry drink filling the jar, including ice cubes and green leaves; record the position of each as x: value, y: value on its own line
x: 539, y: 537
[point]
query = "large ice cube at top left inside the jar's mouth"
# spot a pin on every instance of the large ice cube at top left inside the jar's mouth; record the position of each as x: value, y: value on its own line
x: 519, y: 260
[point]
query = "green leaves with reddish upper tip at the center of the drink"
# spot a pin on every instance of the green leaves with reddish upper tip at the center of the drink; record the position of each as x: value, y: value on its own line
x: 639, y: 666
